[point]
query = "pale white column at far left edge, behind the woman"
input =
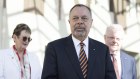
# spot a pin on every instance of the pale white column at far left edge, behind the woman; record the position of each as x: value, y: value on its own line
x: 4, y: 40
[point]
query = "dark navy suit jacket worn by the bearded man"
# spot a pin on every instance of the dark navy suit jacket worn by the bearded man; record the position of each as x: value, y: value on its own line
x: 61, y: 61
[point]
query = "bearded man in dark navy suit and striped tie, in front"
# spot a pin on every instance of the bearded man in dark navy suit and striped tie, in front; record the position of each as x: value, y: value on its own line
x: 62, y: 59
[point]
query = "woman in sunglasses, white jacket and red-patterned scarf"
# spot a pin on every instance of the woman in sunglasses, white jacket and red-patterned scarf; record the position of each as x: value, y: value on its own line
x: 16, y: 62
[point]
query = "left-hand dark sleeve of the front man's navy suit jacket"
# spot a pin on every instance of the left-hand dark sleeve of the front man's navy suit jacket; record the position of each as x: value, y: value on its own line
x: 50, y: 65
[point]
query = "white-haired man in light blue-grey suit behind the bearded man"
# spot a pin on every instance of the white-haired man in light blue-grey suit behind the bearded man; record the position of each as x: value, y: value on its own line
x: 126, y: 67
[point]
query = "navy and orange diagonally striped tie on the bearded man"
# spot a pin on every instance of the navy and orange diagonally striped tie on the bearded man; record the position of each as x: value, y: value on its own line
x: 83, y: 60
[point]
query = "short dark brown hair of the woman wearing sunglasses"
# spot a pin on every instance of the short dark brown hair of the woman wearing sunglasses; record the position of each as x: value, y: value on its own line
x: 20, y: 27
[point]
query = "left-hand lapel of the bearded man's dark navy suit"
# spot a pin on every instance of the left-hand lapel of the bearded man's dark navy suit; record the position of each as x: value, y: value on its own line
x: 71, y: 52
